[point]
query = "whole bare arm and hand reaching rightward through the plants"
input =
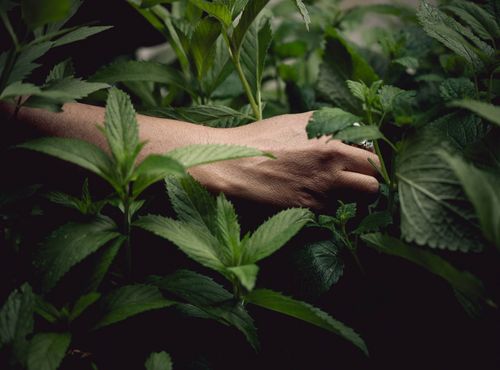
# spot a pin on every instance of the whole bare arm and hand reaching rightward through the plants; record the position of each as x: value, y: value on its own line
x: 305, y: 172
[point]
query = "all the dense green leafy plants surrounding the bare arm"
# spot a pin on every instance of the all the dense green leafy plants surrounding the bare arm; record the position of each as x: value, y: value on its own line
x: 425, y: 92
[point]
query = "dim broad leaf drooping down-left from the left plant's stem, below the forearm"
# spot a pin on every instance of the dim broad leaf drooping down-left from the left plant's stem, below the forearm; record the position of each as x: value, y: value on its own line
x: 71, y: 244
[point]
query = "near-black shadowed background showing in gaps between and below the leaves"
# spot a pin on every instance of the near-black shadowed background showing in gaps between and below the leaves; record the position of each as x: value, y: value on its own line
x: 408, y: 318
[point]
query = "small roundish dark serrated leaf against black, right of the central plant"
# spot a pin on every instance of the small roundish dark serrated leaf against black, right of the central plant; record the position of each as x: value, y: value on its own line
x: 320, y: 265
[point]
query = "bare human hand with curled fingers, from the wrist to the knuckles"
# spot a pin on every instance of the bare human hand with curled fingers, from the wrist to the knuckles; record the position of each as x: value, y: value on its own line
x: 305, y: 173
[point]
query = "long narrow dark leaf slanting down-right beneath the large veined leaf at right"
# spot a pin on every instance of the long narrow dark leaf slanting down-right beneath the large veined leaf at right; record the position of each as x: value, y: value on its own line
x: 462, y: 281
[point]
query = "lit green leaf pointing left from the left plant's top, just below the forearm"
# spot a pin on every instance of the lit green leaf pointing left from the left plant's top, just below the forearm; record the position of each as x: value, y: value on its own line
x: 78, y: 152
